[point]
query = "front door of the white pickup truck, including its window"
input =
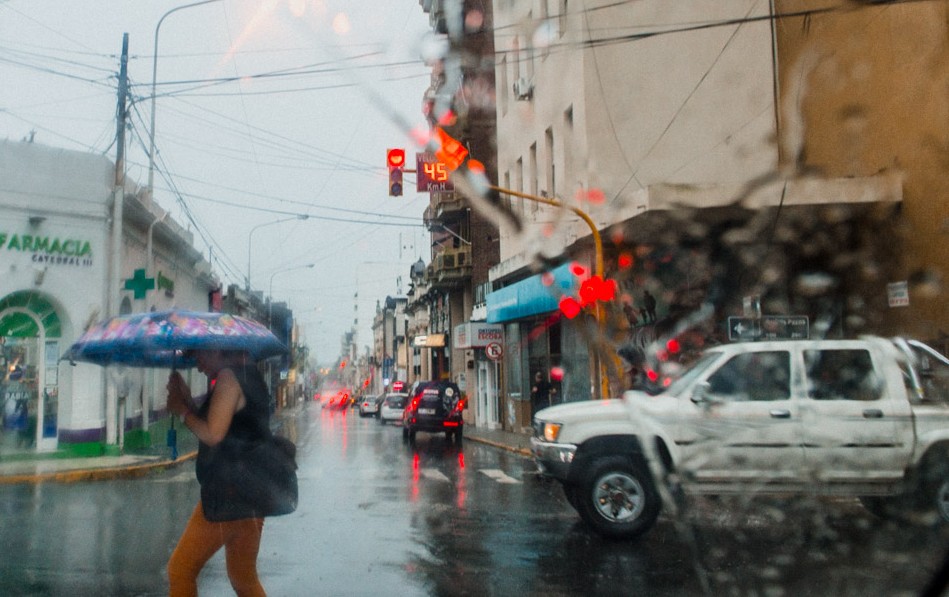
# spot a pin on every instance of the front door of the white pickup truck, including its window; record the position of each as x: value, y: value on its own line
x: 741, y: 423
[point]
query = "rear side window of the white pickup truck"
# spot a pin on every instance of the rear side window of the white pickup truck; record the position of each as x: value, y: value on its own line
x: 841, y: 375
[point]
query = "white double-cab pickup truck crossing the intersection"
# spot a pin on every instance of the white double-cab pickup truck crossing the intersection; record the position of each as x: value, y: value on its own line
x: 867, y: 418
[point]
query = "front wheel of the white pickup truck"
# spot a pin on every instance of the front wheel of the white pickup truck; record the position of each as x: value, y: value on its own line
x: 618, y: 498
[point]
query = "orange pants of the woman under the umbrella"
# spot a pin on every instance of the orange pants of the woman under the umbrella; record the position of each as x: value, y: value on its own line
x: 201, y: 540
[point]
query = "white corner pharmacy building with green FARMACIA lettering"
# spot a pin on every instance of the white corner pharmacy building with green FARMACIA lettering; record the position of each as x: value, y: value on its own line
x: 55, y: 254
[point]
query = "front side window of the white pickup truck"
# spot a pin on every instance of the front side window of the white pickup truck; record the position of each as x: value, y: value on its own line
x: 761, y: 376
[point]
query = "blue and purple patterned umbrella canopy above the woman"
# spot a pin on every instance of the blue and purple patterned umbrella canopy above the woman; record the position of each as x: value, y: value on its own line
x: 161, y: 339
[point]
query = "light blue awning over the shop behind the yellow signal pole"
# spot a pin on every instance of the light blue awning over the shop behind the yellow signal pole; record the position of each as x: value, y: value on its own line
x: 531, y: 296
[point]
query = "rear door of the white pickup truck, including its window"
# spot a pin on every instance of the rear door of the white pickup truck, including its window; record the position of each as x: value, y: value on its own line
x: 858, y: 422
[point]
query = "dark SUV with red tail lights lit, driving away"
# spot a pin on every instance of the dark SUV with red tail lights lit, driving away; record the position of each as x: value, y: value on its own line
x: 434, y: 407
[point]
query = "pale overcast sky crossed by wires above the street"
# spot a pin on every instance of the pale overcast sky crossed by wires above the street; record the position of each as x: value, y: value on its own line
x: 265, y: 110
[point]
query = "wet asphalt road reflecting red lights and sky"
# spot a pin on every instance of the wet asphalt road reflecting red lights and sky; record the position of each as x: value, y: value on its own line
x: 380, y: 517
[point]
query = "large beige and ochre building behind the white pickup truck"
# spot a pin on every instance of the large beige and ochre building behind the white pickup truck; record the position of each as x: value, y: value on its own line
x: 756, y: 156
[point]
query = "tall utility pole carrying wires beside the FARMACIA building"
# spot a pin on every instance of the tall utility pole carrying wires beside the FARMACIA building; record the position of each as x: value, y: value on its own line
x: 113, y: 425
